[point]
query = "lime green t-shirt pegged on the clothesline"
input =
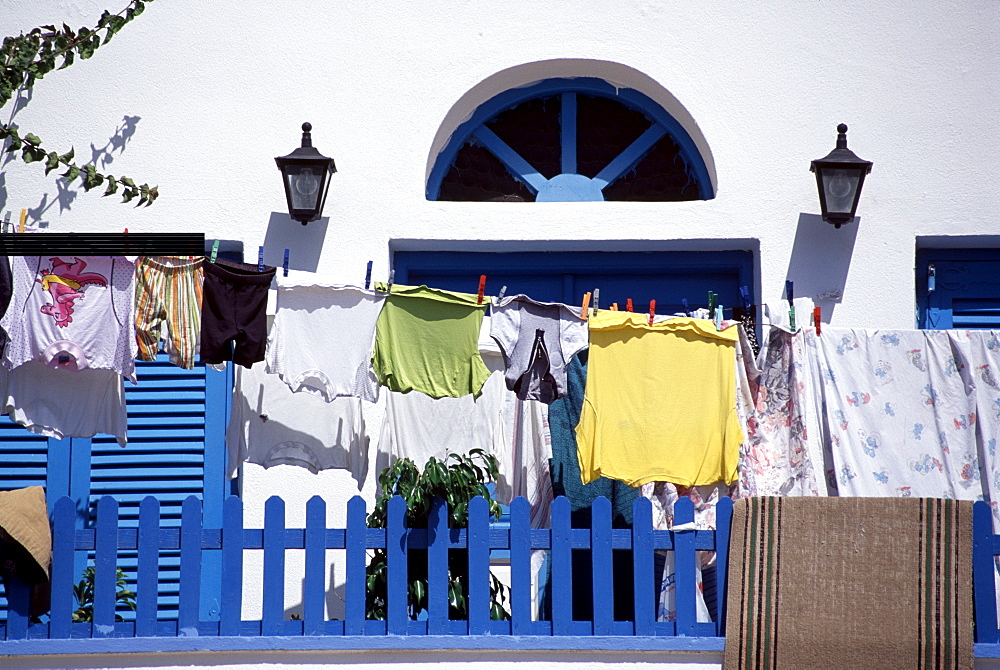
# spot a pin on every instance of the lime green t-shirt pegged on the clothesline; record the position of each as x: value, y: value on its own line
x: 427, y: 340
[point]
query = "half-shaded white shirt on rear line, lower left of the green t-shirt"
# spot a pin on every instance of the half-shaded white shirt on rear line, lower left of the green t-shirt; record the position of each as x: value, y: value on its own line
x: 270, y: 425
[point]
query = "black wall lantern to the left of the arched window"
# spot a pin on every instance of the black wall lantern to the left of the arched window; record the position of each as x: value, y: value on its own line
x: 306, y: 173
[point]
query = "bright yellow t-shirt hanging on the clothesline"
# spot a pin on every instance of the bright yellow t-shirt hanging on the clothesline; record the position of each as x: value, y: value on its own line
x: 660, y: 401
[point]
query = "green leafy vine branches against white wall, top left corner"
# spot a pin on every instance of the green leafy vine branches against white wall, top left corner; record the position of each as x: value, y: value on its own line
x: 26, y: 58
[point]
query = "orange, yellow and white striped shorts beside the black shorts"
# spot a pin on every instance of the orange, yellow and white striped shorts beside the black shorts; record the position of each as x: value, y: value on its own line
x: 168, y: 297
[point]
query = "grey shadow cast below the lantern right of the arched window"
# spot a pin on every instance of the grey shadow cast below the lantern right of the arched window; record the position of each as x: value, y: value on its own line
x: 820, y: 260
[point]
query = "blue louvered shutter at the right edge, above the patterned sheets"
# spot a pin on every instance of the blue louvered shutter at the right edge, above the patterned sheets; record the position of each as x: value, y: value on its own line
x: 958, y: 288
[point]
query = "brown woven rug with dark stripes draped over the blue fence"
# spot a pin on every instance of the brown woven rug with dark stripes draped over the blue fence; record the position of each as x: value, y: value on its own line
x: 850, y: 583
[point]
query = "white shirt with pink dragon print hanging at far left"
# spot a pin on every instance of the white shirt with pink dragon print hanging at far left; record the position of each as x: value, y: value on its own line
x: 72, y: 313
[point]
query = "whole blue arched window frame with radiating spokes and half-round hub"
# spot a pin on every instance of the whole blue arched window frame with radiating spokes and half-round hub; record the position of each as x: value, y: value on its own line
x: 569, y: 186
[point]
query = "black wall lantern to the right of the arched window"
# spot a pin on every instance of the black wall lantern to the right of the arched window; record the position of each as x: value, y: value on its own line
x: 839, y: 177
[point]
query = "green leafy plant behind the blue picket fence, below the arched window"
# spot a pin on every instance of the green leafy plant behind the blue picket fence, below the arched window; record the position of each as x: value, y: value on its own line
x: 457, y: 479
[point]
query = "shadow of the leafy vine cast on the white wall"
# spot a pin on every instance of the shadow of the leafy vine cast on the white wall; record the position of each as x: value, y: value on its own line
x: 102, y: 157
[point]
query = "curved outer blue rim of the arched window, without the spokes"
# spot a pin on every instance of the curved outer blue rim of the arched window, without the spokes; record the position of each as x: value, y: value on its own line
x: 695, y: 162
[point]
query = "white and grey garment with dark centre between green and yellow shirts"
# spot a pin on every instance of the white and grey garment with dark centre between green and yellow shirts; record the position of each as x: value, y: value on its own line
x: 537, y: 340
